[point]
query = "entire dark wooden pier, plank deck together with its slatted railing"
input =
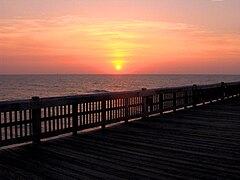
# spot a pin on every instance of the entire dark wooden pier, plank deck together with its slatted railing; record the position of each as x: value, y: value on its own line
x: 187, y: 132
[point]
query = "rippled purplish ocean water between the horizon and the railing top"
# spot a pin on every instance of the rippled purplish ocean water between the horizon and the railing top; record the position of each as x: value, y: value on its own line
x: 13, y: 87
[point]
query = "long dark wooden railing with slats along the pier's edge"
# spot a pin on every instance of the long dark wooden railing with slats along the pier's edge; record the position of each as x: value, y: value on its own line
x: 39, y: 118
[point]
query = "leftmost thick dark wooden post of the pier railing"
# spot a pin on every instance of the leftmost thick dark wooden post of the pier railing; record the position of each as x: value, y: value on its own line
x: 36, y: 120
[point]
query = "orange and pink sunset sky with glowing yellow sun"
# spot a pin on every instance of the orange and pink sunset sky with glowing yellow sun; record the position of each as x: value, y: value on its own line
x: 119, y: 37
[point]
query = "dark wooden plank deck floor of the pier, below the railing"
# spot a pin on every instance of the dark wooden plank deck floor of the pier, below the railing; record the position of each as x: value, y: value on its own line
x: 200, y: 143
